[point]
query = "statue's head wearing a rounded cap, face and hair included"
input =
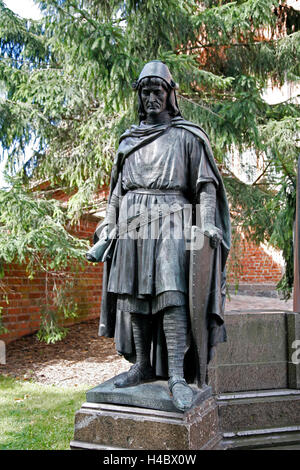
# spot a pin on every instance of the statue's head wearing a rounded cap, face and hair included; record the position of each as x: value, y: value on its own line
x: 156, y: 78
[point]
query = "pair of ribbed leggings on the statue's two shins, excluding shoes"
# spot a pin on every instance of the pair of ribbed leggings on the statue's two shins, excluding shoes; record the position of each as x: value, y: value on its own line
x: 175, y: 329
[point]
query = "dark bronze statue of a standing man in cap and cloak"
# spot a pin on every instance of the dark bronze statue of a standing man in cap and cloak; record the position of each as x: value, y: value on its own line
x: 164, y: 181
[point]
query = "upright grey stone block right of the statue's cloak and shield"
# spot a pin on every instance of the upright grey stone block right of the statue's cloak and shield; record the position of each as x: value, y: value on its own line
x: 255, y: 355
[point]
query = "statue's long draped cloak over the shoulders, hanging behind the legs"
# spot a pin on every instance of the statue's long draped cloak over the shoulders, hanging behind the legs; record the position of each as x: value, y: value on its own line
x: 116, y: 324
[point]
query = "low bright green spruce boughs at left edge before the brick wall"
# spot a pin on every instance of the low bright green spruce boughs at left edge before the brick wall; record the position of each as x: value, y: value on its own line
x: 36, y: 230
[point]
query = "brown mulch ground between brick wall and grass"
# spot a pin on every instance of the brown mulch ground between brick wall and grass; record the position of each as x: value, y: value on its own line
x: 80, y: 358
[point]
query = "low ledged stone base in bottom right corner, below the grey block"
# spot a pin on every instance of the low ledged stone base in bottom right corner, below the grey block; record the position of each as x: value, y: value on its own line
x: 260, y: 419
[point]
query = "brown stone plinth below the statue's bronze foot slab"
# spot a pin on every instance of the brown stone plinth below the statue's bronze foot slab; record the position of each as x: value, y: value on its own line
x: 107, y: 426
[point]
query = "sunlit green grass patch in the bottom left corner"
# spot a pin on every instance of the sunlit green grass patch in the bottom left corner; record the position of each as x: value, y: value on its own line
x: 37, y: 417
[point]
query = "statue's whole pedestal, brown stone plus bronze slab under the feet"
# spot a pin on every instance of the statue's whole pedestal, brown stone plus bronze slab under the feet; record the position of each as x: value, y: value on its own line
x: 146, y: 420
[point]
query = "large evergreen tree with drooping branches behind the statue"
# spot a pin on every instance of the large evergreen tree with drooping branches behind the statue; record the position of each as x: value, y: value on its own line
x: 67, y: 80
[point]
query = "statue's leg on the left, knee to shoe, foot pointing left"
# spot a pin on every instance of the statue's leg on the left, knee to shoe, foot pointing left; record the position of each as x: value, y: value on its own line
x: 141, y: 370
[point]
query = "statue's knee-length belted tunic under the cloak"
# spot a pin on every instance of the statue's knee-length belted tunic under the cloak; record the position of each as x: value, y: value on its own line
x: 151, y: 258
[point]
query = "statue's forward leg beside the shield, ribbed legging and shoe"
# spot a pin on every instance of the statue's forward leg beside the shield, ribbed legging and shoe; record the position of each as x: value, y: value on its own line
x: 175, y: 328
